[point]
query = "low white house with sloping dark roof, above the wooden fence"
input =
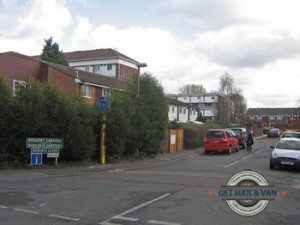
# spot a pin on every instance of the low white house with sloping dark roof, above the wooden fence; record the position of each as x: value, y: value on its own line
x: 181, y: 112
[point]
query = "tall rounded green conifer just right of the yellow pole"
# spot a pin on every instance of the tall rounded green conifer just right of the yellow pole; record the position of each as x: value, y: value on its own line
x: 148, y: 116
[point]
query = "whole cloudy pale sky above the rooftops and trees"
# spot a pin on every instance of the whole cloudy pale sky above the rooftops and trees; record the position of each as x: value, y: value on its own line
x: 257, y: 42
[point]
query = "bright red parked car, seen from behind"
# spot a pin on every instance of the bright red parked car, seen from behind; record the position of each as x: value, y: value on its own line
x: 220, y: 140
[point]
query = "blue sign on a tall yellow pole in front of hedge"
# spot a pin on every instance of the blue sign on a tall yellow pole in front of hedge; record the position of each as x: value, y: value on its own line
x: 103, y: 110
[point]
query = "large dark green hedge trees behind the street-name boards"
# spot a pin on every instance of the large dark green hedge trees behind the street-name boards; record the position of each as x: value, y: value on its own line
x: 39, y: 110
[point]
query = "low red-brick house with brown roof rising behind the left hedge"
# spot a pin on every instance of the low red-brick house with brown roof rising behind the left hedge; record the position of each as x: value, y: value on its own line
x: 17, y: 68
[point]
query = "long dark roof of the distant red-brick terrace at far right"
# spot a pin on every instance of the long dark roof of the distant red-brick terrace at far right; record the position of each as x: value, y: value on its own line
x: 273, y: 111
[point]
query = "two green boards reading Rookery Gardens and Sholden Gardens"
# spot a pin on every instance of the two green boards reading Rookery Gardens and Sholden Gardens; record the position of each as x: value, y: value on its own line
x: 44, y: 143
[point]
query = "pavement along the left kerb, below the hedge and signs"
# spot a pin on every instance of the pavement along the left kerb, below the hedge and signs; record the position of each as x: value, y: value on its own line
x: 133, y: 164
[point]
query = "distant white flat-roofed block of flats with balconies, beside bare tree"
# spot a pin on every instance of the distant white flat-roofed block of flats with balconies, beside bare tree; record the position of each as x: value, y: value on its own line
x: 209, y: 105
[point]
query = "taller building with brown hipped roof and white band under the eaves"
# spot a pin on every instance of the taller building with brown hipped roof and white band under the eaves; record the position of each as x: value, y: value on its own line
x: 108, y: 62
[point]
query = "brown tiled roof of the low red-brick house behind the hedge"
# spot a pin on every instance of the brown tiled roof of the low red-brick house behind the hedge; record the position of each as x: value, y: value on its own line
x: 88, y: 77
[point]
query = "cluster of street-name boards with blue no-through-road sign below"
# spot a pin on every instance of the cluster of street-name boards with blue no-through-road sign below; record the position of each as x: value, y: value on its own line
x: 40, y: 146
